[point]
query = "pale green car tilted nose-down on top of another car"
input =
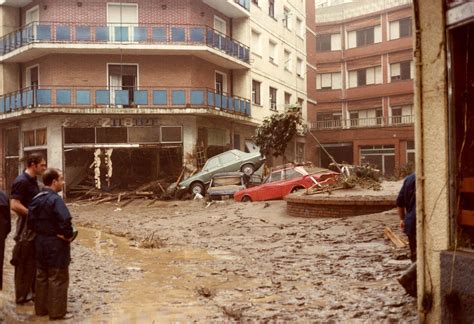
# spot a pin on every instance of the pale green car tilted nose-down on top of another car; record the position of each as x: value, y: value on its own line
x: 230, y: 161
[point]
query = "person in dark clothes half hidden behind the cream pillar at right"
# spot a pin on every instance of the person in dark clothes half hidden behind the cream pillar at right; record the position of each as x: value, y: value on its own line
x: 406, y: 206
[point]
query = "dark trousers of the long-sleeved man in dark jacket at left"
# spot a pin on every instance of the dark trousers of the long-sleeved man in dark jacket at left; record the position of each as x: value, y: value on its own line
x: 51, y: 292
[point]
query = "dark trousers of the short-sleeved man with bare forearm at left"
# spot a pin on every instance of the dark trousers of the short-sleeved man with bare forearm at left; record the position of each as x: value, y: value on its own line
x: 25, y: 274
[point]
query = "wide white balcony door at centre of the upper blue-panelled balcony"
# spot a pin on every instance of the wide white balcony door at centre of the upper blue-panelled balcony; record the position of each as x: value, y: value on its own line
x: 122, y: 18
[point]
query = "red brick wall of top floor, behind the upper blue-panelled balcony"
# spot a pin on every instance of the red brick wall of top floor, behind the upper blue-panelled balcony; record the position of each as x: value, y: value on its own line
x: 149, y: 11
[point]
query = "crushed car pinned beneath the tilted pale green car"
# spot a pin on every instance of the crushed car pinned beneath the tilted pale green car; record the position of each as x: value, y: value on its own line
x: 225, y: 185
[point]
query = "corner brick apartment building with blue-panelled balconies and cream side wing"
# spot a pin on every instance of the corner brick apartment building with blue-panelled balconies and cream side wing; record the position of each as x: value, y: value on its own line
x: 137, y: 84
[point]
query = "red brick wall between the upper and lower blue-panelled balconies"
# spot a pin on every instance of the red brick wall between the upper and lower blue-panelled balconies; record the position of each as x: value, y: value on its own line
x: 91, y: 70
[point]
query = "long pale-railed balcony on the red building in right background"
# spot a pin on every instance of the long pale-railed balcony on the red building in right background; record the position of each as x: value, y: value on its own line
x: 392, y: 121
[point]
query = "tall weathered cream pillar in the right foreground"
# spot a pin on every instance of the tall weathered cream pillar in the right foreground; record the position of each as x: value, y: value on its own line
x: 433, y: 228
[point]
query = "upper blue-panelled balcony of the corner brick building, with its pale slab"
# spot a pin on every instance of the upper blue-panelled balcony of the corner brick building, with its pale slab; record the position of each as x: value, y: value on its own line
x: 38, y: 39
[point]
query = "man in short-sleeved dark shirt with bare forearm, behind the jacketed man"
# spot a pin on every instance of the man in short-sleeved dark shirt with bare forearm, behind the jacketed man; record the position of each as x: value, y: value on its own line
x: 24, y: 188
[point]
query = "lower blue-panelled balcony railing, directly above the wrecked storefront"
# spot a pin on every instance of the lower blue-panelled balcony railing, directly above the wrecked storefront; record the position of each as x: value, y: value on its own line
x: 104, y: 97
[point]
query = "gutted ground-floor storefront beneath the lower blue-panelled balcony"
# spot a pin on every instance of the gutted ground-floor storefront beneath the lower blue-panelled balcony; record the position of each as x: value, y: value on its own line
x: 119, y: 152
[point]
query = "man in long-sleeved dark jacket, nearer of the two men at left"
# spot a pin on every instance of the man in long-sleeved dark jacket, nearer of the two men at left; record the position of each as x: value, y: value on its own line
x: 51, y: 221
